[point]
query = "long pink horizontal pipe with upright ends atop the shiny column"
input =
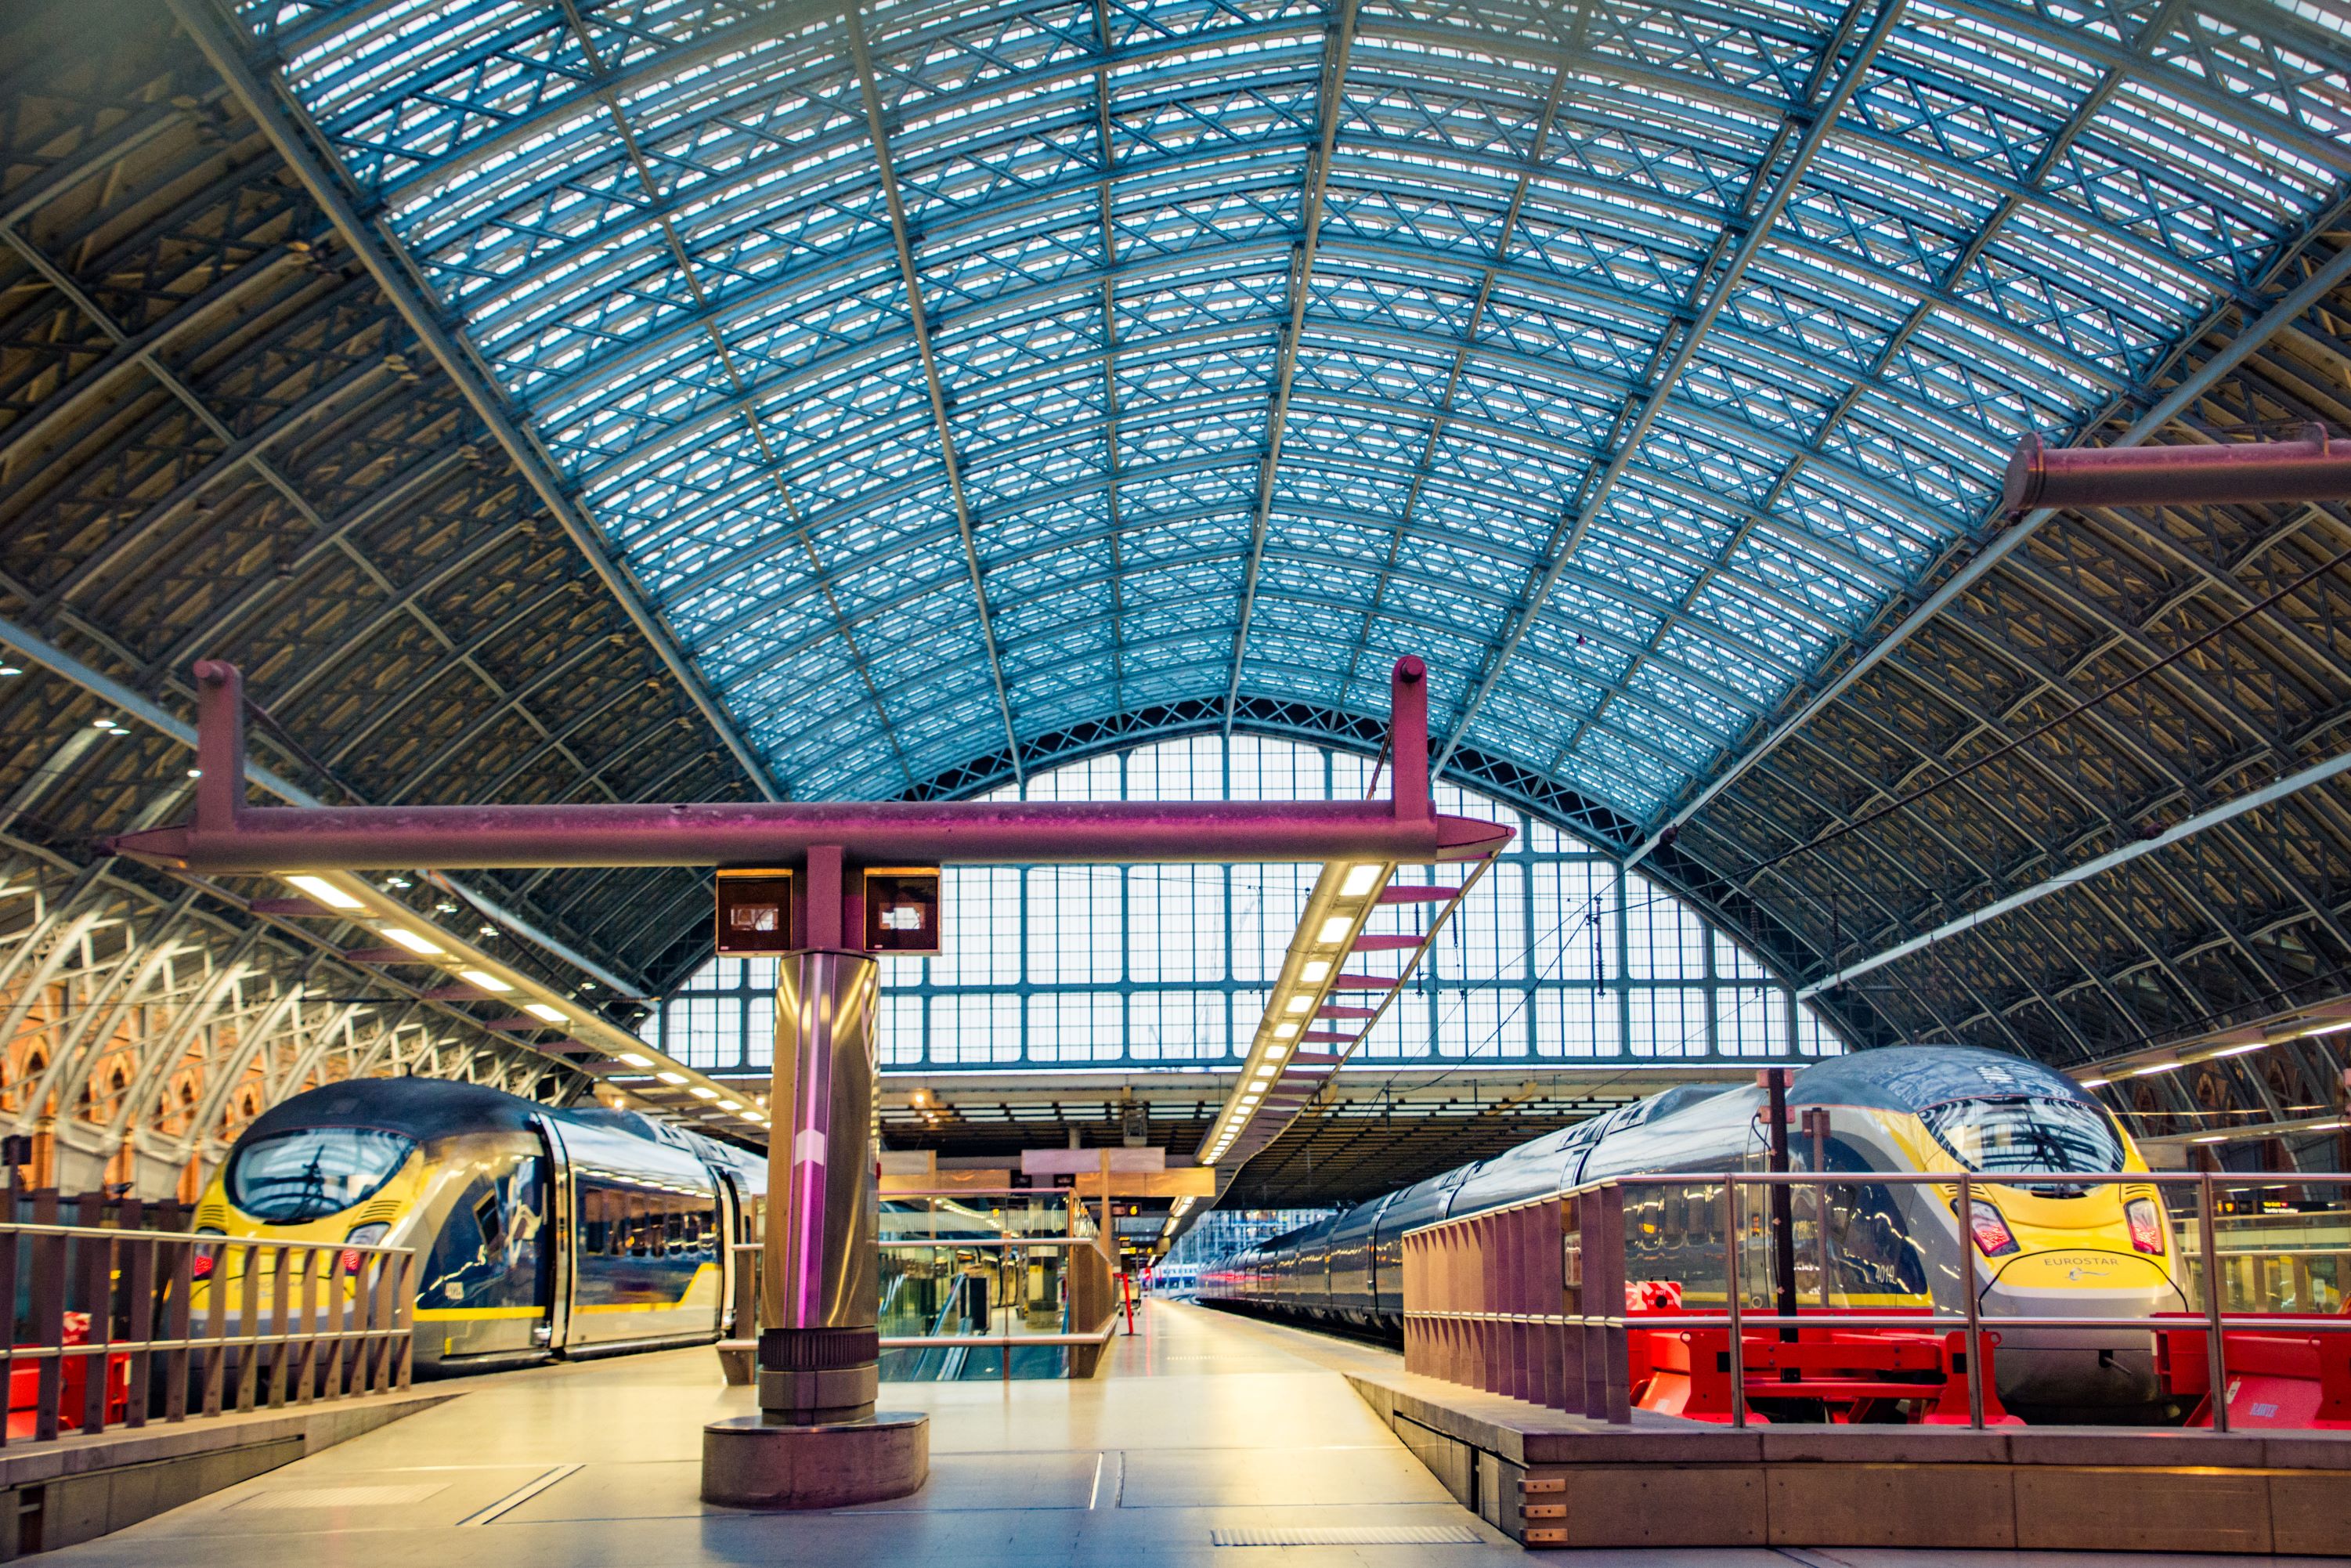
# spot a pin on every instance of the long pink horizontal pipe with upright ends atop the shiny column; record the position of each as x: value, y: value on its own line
x: 232, y: 838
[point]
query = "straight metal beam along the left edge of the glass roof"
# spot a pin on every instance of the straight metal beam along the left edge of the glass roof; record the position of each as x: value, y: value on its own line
x: 394, y: 269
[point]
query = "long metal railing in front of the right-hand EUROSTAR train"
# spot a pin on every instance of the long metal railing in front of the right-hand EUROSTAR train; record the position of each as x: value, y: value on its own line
x: 1536, y: 1301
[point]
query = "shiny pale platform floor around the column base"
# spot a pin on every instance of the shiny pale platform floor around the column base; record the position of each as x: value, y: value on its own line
x: 1205, y: 1433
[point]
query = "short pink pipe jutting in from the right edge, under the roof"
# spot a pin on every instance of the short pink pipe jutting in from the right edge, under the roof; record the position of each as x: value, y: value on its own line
x: 2239, y: 474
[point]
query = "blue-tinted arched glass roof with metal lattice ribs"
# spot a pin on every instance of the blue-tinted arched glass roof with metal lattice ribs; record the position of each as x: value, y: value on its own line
x: 965, y: 373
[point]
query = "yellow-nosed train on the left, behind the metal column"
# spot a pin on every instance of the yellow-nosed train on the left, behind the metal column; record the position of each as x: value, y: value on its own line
x: 537, y: 1231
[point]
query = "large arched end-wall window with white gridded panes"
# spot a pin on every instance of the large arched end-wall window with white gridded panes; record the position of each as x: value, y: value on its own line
x: 1560, y: 956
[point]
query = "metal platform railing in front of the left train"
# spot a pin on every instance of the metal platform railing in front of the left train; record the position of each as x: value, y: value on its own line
x: 116, y: 1327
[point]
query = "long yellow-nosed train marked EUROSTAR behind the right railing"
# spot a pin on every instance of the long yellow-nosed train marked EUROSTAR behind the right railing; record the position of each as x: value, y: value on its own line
x: 2049, y: 1247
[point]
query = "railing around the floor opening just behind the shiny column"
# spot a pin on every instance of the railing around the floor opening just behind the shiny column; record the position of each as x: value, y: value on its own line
x: 1038, y: 1252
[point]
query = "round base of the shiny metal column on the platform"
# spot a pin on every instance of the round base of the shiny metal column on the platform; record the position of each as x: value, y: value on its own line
x: 753, y: 1466
